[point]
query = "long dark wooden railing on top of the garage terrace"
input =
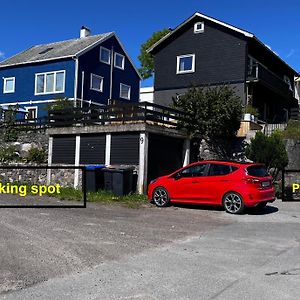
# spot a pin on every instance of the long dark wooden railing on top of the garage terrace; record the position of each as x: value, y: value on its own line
x: 115, y: 114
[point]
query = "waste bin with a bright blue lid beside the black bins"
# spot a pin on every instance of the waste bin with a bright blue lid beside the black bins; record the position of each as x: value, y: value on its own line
x: 94, y: 178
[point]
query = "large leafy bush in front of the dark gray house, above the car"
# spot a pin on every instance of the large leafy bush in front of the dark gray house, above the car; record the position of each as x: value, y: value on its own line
x: 214, y: 115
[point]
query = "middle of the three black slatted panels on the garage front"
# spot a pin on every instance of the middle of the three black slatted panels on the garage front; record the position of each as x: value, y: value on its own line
x: 92, y: 149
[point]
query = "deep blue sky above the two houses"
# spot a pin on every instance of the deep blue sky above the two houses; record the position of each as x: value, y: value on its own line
x: 31, y: 22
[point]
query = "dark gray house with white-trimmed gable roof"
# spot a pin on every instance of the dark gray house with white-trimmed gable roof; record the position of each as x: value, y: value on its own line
x: 203, y: 51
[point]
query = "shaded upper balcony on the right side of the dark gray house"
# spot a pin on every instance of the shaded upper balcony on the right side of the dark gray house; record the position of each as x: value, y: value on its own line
x: 259, y: 73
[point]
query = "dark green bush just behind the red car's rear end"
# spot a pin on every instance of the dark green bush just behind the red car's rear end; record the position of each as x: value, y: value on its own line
x: 269, y: 151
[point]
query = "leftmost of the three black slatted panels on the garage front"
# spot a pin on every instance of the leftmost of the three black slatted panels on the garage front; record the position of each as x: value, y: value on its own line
x: 63, y: 151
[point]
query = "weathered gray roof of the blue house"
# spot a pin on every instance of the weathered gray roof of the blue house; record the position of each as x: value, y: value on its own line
x: 57, y: 50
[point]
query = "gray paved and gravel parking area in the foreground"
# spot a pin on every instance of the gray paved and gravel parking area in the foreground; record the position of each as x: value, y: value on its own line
x: 112, y: 252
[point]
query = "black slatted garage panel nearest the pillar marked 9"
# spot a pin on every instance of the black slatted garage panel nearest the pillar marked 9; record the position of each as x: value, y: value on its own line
x: 125, y: 149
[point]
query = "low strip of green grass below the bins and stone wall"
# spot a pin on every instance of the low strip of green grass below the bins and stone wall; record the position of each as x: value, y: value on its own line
x: 131, y: 200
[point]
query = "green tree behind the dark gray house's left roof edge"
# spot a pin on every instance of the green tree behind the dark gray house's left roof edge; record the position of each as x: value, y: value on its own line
x: 145, y: 58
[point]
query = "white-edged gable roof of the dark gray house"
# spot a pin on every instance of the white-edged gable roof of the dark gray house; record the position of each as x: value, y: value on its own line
x: 247, y: 34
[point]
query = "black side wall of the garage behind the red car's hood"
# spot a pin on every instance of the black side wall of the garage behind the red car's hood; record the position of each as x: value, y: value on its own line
x: 165, y: 155
